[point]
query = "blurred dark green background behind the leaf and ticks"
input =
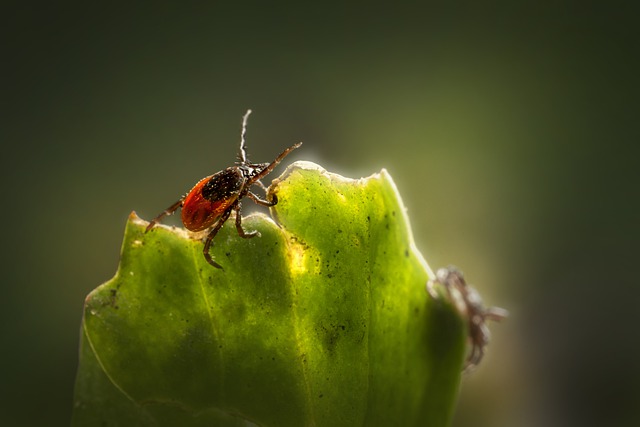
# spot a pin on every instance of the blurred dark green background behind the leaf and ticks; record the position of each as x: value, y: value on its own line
x: 511, y: 130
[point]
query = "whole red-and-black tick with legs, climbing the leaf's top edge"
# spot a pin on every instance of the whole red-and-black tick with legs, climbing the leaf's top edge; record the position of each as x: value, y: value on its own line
x: 210, y: 202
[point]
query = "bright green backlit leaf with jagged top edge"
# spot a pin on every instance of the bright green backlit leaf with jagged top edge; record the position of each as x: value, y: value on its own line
x: 322, y: 320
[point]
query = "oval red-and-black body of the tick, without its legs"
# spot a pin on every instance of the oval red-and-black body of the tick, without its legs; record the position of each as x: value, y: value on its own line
x: 210, y: 198
